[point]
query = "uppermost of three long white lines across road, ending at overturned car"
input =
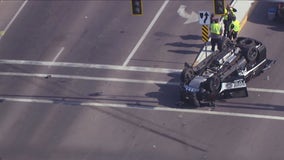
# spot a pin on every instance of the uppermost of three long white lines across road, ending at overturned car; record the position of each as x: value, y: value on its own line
x: 83, y: 65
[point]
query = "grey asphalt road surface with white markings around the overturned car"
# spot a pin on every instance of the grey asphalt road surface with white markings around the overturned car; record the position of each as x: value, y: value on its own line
x: 87, y: 80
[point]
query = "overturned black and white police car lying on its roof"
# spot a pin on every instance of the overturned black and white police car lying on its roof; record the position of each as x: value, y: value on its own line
x: 223, y: 75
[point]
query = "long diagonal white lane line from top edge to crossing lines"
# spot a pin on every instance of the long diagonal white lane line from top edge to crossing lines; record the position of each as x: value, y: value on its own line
x: 146, y: 32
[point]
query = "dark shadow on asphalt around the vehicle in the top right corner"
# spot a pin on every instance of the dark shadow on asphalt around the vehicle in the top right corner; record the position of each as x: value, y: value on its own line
x: 260, y: 9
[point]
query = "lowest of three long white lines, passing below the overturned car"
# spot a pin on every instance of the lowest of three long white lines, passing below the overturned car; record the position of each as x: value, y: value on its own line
x: 141, y: 107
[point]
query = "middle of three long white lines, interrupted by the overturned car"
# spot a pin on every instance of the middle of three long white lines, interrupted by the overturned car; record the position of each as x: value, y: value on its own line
x: 120, y: 80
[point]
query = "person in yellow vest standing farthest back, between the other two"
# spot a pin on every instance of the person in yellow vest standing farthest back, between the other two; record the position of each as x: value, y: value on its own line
x: 227, y: 19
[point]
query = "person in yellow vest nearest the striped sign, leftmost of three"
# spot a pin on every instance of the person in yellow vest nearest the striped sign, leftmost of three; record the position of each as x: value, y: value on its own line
x: 216, y: 35
